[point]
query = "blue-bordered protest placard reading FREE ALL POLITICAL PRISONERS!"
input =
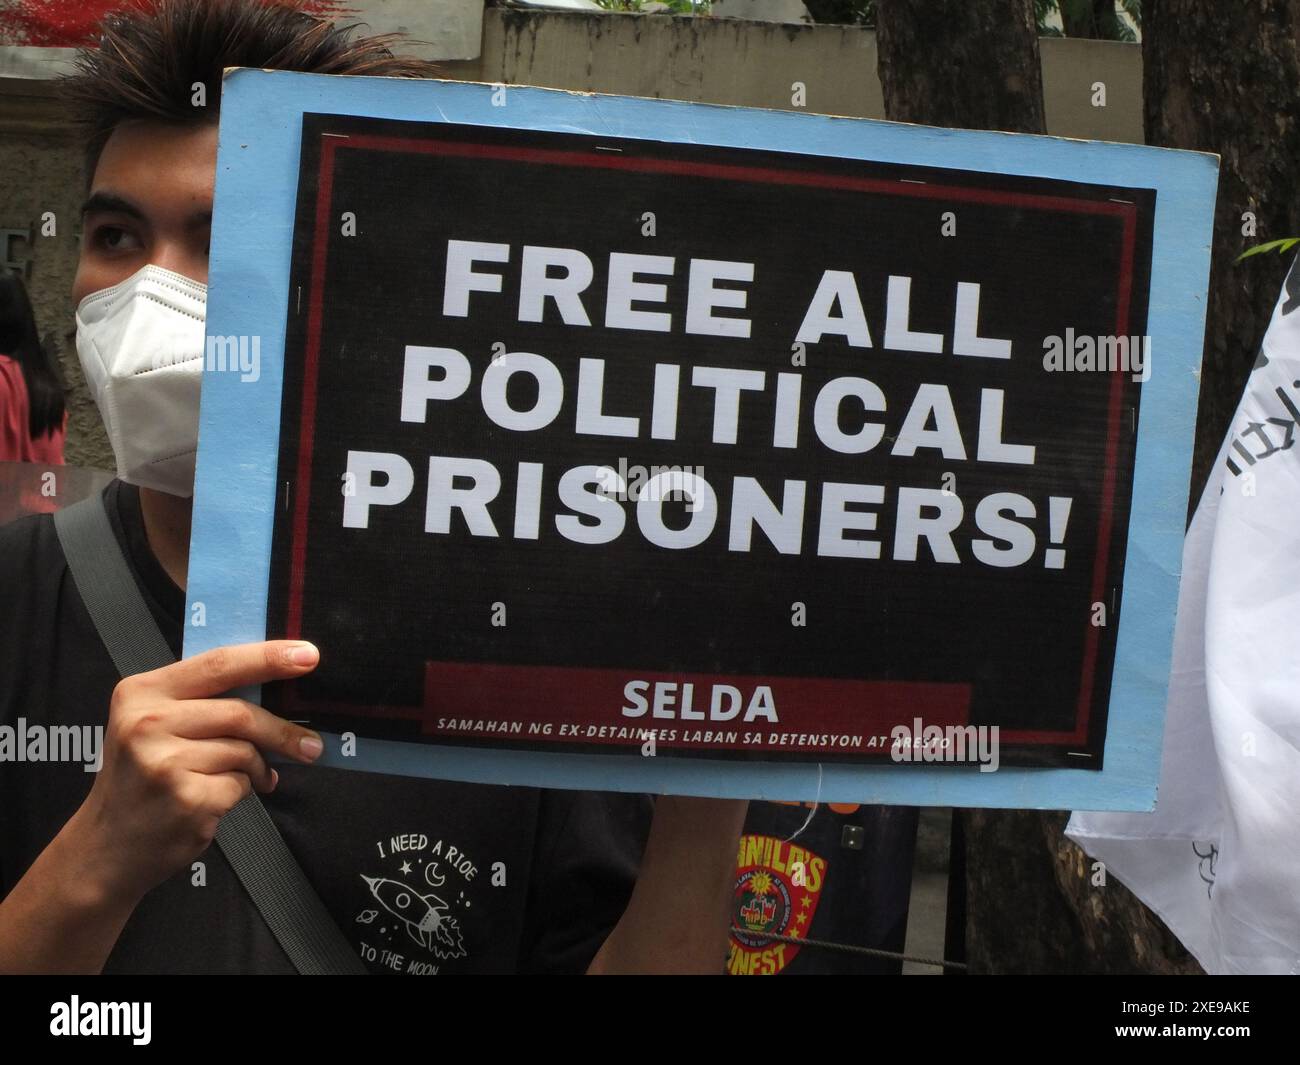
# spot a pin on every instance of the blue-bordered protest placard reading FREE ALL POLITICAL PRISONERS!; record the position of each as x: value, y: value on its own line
x: 632, y: 444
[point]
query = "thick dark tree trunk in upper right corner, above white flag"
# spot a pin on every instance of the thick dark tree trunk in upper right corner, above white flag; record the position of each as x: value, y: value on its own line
x: 1227, y: 79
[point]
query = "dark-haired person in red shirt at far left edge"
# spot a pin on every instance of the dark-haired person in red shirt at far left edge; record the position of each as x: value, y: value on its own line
x: 33, y: 414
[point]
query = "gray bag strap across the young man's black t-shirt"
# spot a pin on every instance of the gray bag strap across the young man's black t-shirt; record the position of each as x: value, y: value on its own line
x: 246, y: 835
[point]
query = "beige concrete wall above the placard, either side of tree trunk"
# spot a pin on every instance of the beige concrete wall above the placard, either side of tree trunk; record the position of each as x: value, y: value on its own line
x: 757, y: 64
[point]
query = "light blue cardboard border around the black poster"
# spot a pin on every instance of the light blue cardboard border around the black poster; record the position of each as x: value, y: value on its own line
x: 239, y: 444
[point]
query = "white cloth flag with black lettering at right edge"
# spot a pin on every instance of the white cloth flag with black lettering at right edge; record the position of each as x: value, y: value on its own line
x: 1220, y: 859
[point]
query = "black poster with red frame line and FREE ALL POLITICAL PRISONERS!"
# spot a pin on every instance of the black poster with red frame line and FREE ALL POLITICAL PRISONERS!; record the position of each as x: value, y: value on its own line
x: 592, y: 444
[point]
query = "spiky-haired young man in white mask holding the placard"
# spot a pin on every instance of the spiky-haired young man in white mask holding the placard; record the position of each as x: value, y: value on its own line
x: 116, y: 872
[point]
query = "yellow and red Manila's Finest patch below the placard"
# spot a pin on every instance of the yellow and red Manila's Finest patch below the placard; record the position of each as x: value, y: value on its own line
x: 778, y: 887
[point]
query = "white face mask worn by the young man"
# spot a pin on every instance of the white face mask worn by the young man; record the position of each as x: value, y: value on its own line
x: 141, y: 347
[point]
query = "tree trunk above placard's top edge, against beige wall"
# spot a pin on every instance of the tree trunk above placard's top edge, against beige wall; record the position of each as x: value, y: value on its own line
x: 961, y: 66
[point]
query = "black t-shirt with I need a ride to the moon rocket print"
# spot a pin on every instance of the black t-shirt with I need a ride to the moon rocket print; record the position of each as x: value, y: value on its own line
x: 423, y: 877
